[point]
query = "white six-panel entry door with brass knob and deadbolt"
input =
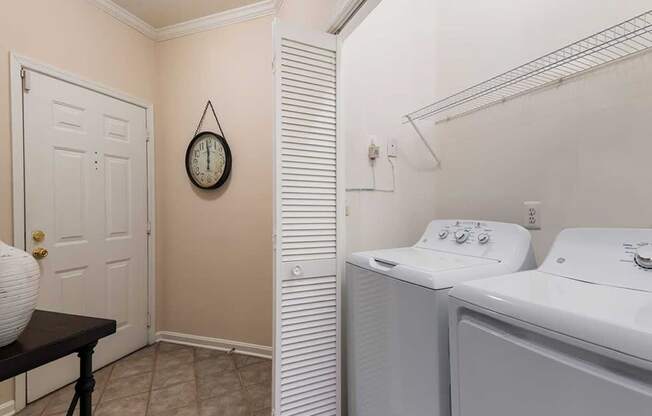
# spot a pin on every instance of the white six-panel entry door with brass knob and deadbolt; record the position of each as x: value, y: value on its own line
x: 86, y: 190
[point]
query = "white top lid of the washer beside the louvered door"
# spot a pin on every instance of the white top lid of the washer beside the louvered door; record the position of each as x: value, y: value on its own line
x: 424, y: 267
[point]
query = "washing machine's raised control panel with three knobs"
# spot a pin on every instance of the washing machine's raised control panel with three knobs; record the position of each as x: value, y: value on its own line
x: 486, y: 239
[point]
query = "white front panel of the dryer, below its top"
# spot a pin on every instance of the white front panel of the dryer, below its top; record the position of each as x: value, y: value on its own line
x: 508, y: 371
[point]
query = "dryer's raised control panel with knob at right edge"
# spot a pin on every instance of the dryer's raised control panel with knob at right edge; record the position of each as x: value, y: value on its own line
x: 620, y: 257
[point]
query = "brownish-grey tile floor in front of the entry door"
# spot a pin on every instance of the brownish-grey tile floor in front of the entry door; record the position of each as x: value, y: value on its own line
x: 173, y: 380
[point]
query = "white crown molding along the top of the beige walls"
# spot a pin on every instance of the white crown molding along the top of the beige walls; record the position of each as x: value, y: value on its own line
x: 213, y: 21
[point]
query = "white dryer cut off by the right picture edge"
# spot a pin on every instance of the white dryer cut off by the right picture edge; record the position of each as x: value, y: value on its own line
x: 571, y: 338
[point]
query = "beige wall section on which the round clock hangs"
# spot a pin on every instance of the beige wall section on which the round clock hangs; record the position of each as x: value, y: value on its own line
x: 215, y: 247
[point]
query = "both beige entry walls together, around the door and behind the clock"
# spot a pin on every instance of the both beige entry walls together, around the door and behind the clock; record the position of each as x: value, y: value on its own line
x: 76, y: 36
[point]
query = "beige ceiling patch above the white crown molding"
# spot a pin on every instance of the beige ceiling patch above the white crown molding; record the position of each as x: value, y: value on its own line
x: 161, y: 13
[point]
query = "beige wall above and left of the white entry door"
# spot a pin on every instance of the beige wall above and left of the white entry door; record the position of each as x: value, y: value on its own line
x: 74, y: 36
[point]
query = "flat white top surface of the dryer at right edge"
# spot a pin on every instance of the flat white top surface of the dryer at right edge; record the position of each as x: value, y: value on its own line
x: 615, y: 318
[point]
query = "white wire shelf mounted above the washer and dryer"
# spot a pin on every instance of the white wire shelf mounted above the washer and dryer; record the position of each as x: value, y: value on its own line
x: 614, y: 44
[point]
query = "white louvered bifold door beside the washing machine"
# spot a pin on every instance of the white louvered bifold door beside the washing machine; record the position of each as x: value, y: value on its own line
x: 308, y: 217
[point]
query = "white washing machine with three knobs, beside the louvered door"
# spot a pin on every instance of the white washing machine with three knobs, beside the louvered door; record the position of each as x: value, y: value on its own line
x: 397, y: 316
